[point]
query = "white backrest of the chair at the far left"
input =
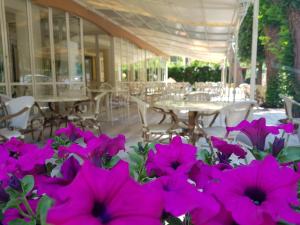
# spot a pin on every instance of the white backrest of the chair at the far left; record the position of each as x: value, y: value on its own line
x: 17, y: 104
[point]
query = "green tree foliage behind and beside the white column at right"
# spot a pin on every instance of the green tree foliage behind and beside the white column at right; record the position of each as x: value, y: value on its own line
x: 271, y: 15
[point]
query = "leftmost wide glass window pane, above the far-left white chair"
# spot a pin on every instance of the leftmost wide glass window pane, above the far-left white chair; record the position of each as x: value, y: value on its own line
x: 18, y: 41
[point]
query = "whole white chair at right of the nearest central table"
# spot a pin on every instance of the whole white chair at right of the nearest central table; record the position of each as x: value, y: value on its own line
x: 233, y: 115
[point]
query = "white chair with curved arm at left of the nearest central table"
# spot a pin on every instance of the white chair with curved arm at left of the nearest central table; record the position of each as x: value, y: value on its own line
x: 154, y: 132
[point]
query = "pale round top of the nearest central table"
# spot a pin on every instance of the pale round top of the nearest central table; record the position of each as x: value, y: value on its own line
x: 202, y: 107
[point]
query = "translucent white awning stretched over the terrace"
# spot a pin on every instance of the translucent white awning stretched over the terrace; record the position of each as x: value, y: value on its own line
x: 201, y: 29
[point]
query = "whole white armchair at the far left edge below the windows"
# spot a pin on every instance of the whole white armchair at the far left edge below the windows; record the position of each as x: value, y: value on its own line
x: 18, y: 111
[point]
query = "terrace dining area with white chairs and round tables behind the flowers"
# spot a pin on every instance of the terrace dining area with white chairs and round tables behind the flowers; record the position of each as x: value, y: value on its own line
x: 157, y: 111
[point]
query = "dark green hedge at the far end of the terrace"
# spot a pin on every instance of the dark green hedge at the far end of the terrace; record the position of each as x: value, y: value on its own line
x: 196, y: 72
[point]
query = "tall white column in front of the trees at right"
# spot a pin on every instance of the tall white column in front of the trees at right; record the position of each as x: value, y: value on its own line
x: 254, y: 49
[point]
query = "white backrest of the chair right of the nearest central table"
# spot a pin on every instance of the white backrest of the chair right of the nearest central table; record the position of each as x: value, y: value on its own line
x: 237, y: 112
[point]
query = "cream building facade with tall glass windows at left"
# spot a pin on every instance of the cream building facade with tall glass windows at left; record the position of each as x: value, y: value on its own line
x: 48, y: 51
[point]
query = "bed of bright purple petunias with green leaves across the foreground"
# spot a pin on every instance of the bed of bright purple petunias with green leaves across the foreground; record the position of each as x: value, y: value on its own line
x: 78, y: 178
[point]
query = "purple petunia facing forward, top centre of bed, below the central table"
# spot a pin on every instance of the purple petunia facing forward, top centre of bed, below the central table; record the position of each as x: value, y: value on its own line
x: 175, y: 157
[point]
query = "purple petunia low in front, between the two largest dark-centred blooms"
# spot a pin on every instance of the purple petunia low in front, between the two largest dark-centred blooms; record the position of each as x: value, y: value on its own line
x: 181, y: 197
